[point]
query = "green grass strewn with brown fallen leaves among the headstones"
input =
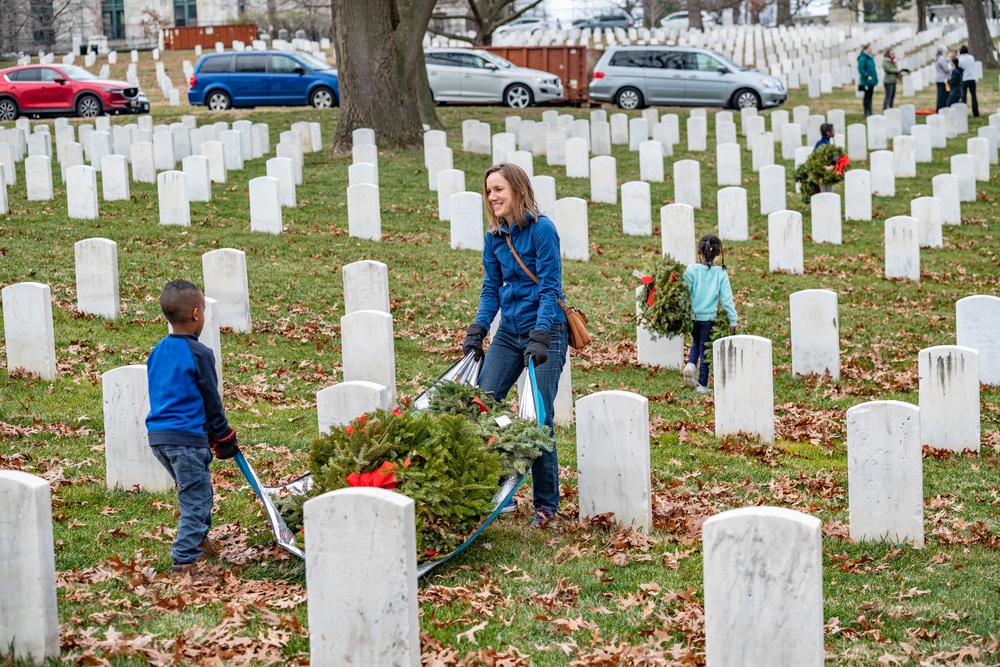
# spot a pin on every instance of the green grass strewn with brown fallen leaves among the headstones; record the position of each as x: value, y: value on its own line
x: 556, y: 595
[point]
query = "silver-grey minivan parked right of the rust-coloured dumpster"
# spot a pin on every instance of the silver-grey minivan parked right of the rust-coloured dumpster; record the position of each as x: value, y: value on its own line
x: 637, y: 76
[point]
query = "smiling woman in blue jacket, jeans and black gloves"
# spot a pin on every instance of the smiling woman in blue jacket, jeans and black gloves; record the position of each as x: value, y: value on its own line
x: 532, y: 324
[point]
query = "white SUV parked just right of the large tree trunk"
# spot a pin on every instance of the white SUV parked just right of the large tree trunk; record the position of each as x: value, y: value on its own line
x: 474, y: 75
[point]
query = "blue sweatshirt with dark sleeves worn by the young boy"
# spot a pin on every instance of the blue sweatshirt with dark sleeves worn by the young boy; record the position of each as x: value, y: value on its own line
x: 184, y: 402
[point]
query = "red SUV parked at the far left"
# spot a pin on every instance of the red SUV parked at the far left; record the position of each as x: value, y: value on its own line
x: 65, y: 90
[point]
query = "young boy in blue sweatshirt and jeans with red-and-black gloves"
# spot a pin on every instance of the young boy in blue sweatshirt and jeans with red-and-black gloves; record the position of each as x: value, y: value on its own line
x: 186, y: 420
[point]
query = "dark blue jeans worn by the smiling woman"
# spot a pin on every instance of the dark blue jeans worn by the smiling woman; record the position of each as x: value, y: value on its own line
x: 503, y: 365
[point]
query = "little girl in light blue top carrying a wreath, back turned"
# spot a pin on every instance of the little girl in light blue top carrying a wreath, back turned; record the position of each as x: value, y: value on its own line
x: 708, y: 283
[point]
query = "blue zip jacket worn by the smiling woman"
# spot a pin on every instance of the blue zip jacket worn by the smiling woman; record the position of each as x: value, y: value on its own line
x: 506, y: 287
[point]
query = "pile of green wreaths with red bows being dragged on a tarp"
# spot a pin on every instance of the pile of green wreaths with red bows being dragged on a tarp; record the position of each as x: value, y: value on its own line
x: 449, y: 459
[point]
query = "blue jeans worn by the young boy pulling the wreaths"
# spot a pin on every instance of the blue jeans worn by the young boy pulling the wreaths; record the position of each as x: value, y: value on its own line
x: 189, y: 468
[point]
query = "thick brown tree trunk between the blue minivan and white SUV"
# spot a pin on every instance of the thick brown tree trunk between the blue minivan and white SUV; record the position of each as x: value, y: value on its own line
x: 379, y: 61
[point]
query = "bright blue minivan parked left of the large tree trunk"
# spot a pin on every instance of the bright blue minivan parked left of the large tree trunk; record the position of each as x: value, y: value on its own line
x: 263, y: 78
